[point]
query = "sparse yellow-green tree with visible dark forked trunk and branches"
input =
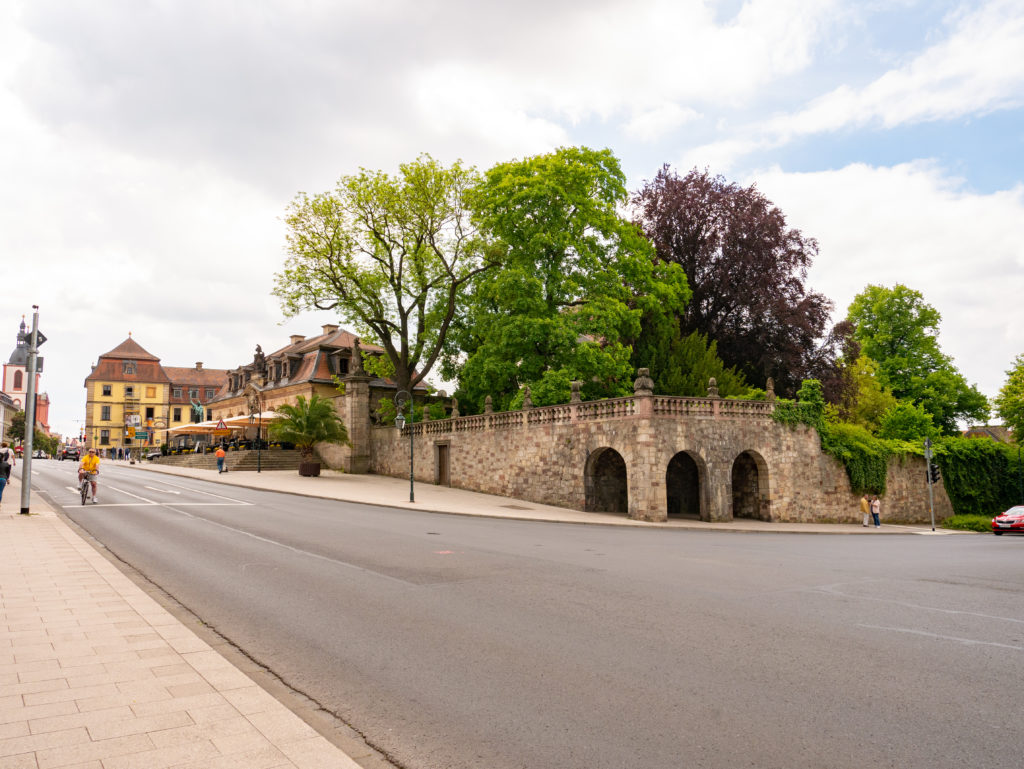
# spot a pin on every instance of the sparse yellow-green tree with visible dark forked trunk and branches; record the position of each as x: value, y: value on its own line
x: 392, y: 254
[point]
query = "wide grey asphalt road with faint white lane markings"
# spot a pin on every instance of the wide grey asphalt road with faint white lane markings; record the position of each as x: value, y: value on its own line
x: 478, y: 644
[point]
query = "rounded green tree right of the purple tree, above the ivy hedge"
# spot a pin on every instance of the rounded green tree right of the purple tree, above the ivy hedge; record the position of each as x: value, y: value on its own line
x: 900, y: 331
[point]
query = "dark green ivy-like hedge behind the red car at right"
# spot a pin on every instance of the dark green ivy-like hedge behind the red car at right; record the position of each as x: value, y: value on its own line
x: 982, y: 477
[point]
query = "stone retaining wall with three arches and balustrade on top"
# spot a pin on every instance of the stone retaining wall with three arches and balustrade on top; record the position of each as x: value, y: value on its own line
x: 542, y: 456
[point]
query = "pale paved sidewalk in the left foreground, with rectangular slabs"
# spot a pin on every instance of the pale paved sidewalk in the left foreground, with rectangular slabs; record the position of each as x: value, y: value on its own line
x: 97, y: 675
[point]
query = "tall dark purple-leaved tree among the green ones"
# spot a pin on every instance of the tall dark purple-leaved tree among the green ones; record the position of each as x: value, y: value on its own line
x: 747, y: 271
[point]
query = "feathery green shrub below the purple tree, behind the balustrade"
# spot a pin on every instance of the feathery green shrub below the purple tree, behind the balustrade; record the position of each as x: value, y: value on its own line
x: 682, y: 366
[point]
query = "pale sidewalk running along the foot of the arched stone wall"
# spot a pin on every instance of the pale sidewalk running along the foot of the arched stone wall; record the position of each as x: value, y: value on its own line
x: 381, y: 490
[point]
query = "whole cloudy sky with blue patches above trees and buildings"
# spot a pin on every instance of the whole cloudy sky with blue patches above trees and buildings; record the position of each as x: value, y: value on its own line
x: 149, y: 149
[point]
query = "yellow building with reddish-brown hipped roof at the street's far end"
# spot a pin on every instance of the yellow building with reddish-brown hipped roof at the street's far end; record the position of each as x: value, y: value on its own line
x: 133, y: 401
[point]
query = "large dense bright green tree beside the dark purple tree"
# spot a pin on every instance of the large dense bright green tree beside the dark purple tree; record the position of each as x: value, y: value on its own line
x: 577, y: 278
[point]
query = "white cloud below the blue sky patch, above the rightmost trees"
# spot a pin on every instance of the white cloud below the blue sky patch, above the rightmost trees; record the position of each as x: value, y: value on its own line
x: 914, y: 225
